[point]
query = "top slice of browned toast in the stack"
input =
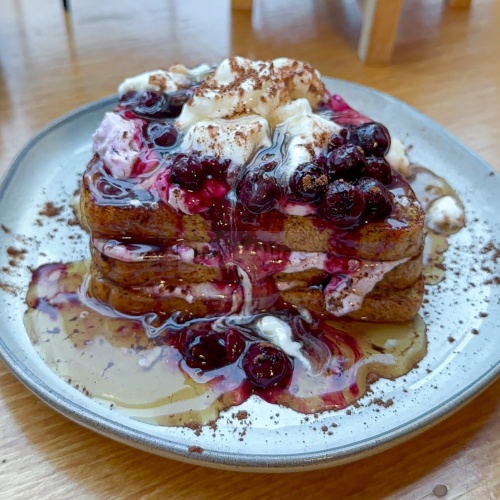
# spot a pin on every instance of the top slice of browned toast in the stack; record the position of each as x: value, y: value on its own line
x: 132, y: 212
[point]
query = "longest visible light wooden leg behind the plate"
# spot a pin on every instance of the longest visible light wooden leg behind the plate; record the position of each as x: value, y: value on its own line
x: 378, y: 33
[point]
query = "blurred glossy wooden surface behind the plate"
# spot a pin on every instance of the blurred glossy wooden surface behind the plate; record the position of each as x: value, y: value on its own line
x: 52, y: 62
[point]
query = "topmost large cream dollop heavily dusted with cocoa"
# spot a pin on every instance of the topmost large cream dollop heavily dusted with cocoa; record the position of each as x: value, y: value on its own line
x: 241, y: 86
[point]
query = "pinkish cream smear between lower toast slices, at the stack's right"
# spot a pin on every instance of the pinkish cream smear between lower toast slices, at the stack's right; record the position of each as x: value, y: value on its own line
x: 346, y: 295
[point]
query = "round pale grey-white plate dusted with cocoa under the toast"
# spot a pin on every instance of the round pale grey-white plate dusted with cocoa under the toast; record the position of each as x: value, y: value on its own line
x: 48, y: 168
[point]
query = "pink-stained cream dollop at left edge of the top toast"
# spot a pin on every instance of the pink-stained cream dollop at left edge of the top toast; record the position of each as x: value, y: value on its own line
x: 117, y: 142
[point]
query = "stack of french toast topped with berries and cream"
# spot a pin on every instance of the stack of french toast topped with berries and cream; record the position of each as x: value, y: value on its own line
x: 289, y: 204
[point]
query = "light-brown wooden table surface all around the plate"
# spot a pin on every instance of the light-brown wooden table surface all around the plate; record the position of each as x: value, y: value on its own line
x: 445, y: 64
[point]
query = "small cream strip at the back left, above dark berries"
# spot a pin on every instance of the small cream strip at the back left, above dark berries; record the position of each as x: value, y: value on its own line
x: 175, y: 78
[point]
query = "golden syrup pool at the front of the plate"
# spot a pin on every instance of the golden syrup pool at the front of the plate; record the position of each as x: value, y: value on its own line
x: 111, y: 359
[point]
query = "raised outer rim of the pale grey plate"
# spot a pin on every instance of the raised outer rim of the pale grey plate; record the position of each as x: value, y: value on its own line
x: 329, y: 456
